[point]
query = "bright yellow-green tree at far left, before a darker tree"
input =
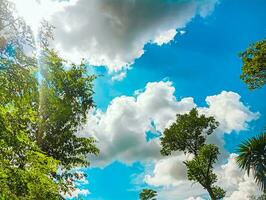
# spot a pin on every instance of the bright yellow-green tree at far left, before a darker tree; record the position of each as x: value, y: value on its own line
x: 25, y: 170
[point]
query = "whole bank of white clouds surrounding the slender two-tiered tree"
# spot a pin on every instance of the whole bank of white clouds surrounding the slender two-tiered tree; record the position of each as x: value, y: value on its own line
x: 121, y: 133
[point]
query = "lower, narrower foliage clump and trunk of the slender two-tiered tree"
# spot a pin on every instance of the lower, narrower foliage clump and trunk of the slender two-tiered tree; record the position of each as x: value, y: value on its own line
x: 200, y: 169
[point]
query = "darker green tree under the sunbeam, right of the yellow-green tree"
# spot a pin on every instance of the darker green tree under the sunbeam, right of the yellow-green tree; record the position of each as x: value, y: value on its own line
x: 65, y: 97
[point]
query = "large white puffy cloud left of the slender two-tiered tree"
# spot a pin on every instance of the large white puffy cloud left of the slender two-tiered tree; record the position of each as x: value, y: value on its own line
x: 121, y: 130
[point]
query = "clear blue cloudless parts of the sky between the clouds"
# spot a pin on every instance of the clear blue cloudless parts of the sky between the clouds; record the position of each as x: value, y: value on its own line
x: 202, y: 62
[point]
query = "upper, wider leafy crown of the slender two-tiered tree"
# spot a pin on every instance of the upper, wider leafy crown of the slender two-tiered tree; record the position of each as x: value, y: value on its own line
x: 188, y: 133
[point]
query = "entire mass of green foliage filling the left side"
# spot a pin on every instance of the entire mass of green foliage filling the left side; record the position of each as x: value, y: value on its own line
x: 39, y: 117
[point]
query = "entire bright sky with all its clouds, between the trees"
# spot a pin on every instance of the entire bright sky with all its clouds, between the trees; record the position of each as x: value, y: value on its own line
x: 156, y: 59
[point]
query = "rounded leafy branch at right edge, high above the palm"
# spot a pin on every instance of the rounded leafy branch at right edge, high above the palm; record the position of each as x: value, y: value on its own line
x: 254, y: 65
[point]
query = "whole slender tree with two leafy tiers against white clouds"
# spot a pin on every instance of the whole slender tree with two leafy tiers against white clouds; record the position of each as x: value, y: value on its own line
x: 188, y: 134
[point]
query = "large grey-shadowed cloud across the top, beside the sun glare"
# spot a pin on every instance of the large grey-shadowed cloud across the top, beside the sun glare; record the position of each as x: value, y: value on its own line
x: 113, y: 33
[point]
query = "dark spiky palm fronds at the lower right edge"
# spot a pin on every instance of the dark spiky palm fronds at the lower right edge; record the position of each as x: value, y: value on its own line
x: 252, y: 157
